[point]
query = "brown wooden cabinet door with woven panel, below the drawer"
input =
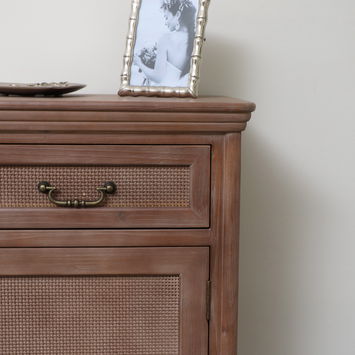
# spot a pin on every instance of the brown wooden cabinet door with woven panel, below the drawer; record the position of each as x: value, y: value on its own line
x: 139, y: 301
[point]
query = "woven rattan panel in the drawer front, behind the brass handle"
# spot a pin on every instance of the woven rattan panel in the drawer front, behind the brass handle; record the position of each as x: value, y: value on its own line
x: 141, y: 187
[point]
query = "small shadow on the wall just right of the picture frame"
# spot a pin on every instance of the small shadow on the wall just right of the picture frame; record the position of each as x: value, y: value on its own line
x: 222, y: 67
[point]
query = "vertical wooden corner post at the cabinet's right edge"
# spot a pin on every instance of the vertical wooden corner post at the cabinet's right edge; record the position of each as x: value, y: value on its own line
x: 224, y: 256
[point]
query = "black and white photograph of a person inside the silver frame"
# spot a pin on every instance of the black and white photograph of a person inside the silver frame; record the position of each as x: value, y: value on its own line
x: 164, y: 43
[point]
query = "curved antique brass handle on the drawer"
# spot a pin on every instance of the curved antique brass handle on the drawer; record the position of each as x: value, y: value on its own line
x: 46, y: 188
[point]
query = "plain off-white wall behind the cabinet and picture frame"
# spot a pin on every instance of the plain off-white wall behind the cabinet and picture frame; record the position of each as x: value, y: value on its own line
x: 296, y: 60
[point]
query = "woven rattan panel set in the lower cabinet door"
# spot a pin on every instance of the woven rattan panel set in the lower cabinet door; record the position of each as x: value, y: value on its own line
x: 83, y: 315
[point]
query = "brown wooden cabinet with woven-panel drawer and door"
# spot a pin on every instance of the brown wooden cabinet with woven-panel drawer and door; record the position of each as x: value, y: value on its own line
x: 151, y: 270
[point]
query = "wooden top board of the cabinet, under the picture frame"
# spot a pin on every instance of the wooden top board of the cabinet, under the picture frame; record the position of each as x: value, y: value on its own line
x: 115, y: 103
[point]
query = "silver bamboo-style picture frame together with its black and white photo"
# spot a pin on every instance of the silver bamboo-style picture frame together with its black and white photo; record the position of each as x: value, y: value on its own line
x: 163, y: 48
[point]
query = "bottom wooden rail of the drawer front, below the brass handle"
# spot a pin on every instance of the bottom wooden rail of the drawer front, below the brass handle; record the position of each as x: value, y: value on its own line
x: 45, y: 218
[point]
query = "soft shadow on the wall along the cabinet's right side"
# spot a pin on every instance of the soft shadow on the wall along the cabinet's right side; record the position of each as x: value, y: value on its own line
x: 277, y: 209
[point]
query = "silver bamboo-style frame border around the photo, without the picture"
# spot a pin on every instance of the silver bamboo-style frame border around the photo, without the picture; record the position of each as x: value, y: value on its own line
x: 192, y: 89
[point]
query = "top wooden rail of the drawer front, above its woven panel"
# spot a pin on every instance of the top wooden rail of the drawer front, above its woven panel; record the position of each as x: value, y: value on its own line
x: 132, y: 155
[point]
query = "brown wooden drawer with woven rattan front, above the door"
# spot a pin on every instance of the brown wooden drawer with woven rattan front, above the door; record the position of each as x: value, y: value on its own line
x: 158, y: 186
